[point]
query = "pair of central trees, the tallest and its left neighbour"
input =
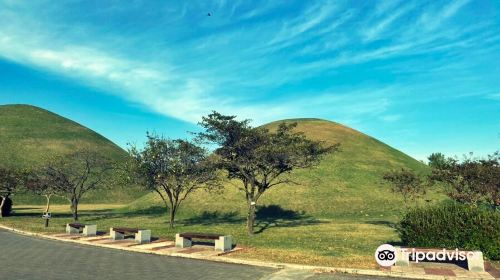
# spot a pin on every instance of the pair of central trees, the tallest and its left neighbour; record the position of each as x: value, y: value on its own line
x: 255, y: 157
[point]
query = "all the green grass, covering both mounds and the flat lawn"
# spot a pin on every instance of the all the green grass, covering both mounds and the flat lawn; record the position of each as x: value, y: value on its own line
x: 338, y: 213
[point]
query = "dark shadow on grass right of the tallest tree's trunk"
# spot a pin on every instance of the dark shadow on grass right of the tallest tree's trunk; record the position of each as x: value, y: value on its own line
x: 275, y: 216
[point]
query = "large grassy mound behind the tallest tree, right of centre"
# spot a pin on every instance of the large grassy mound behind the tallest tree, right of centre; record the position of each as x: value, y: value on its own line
x: 345, y: 184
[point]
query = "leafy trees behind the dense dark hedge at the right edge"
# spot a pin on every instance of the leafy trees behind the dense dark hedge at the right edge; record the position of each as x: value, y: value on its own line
x: 471, y: 181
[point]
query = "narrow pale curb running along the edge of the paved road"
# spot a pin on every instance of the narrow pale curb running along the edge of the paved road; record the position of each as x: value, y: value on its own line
x: 223, y: 259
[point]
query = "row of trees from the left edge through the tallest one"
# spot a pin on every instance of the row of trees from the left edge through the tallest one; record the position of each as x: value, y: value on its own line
x: 256, y: 158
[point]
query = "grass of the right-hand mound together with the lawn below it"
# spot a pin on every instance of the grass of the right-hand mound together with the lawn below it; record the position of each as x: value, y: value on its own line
x: 338, y: 215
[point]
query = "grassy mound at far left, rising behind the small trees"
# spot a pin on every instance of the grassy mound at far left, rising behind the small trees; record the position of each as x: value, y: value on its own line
x: 29, y: 135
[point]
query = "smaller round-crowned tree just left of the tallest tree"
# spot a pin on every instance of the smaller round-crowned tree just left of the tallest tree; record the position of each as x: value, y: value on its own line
x: 173, y: 169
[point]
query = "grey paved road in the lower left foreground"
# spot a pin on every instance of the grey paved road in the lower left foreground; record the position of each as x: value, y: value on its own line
x: 29, y: 258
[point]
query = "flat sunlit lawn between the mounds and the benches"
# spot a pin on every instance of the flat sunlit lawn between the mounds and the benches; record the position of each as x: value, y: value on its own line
x: 347, y: 242
